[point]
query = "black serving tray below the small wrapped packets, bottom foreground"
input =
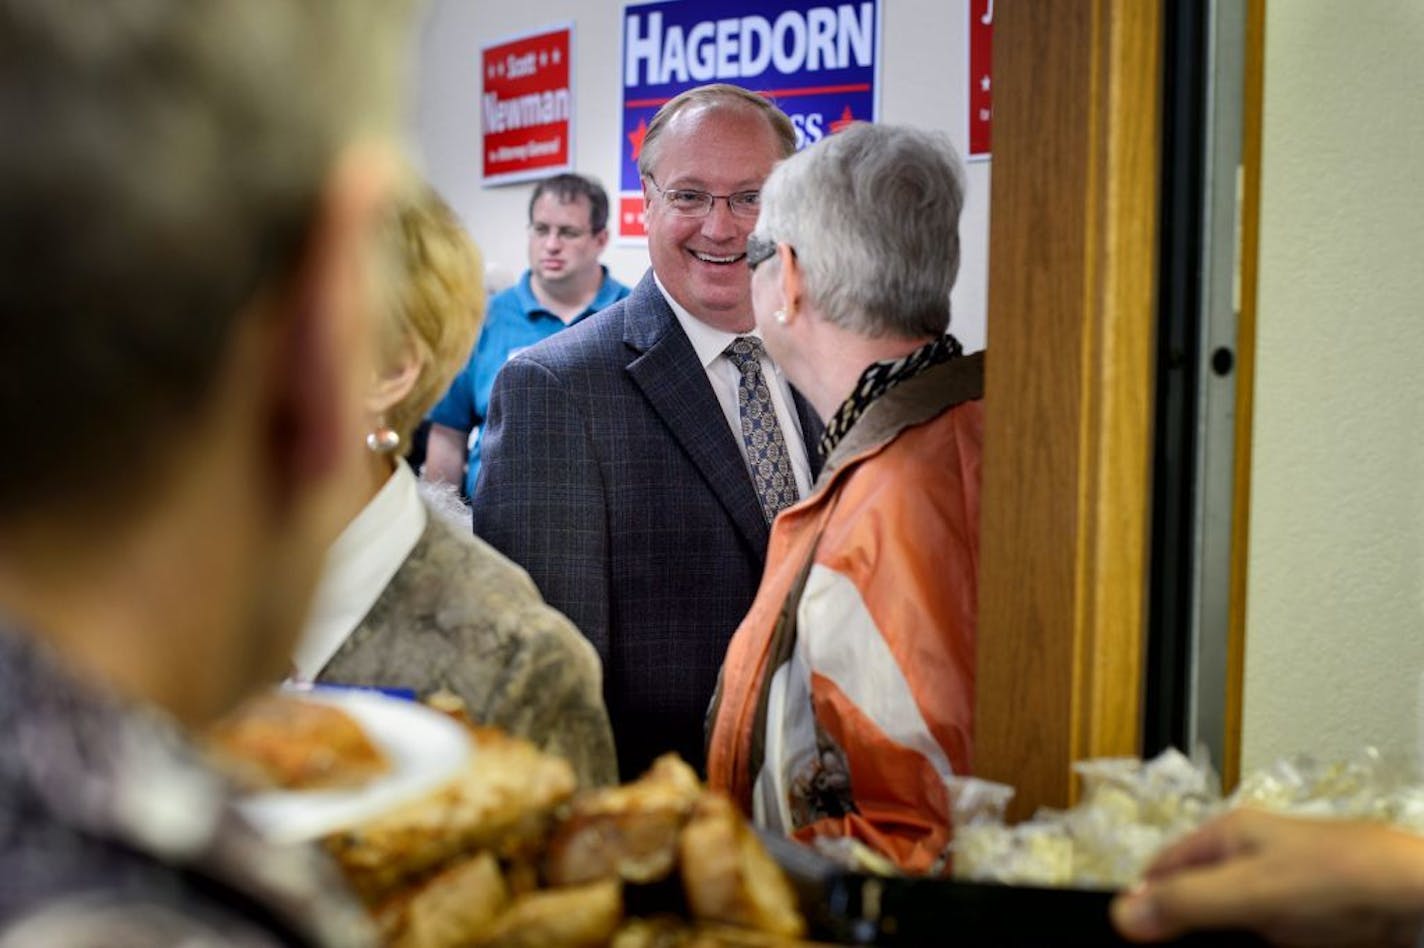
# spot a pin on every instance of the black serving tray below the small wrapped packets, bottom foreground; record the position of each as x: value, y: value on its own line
x: 858, y: 909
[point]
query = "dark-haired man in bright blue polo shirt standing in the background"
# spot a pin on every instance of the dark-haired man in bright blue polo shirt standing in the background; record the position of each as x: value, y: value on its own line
x: 569, y: 231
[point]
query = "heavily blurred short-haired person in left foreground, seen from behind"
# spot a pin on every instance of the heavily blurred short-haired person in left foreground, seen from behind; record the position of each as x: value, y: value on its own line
x: 190, y: 200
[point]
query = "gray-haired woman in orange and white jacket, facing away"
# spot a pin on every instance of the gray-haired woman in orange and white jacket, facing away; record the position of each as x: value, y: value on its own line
x: 848, y: 694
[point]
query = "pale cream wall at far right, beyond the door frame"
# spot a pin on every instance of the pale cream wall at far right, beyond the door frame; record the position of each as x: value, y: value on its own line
x: 1335, y: 643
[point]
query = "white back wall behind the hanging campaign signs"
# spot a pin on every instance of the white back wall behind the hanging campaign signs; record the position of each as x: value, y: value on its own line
x: 922, y: 83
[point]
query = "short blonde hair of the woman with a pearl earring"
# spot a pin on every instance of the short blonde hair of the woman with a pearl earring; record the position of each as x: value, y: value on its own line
x: 438, y: 302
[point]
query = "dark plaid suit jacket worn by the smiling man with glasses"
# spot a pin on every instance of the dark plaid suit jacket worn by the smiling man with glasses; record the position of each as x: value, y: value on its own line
x: 612, y: 476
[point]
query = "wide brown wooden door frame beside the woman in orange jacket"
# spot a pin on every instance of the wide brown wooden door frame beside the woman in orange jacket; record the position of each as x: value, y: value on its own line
x: 1067, y: 466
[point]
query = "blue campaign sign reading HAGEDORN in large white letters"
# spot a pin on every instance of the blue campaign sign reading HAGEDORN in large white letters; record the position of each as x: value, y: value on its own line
x: 818, y: 60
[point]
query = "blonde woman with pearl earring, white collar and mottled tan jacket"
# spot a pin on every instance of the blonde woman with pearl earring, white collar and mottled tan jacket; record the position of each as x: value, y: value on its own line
x: 411, y: 599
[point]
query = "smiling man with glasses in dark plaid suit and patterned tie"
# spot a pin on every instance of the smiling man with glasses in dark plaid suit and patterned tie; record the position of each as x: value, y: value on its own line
x: 634, y: 463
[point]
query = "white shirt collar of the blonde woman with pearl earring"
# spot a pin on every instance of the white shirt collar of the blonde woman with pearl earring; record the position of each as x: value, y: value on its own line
x: 360, y: 567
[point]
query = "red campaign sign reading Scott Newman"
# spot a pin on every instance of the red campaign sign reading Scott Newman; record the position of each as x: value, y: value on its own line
x: 528, y: 109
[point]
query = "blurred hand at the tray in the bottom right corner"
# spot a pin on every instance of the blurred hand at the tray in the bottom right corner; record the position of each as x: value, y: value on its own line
x: 1295, y: 882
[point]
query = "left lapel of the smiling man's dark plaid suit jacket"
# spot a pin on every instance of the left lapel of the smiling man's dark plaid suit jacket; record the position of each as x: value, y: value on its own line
x: 673, y: 381
